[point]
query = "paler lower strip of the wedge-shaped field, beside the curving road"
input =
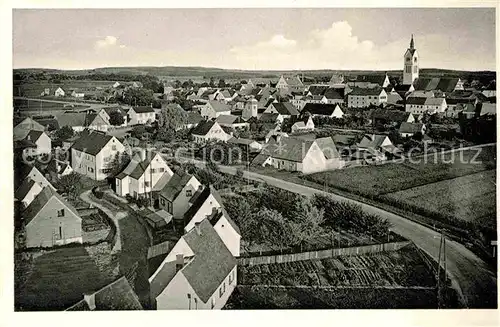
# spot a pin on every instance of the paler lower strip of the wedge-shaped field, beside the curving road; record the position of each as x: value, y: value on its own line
x: 468, y: 197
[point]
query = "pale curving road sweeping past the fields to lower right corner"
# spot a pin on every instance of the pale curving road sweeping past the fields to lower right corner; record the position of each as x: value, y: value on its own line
x: 470, y: 276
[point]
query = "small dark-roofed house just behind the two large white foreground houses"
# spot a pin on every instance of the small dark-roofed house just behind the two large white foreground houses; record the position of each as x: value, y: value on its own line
x: 176, y: 195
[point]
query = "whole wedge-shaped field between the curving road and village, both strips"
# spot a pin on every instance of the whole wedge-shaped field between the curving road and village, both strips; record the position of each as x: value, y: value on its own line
x: 459, y: 185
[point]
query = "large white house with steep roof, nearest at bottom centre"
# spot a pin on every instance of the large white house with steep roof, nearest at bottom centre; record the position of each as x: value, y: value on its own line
x: 199, y: 272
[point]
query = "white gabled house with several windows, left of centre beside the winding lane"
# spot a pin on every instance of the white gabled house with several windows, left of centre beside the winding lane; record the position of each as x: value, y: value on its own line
x: 140, y: 177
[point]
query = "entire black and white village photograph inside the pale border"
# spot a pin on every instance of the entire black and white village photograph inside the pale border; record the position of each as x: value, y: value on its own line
x: 253, y: 158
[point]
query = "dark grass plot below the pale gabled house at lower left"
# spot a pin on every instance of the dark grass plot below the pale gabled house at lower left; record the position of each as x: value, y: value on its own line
x: 58, y: 280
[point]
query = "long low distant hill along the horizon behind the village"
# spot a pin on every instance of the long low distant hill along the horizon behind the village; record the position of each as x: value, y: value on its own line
x: 173, y: 71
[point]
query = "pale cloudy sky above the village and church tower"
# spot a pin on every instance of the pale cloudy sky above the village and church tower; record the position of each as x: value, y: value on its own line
x: 255, y: 39
